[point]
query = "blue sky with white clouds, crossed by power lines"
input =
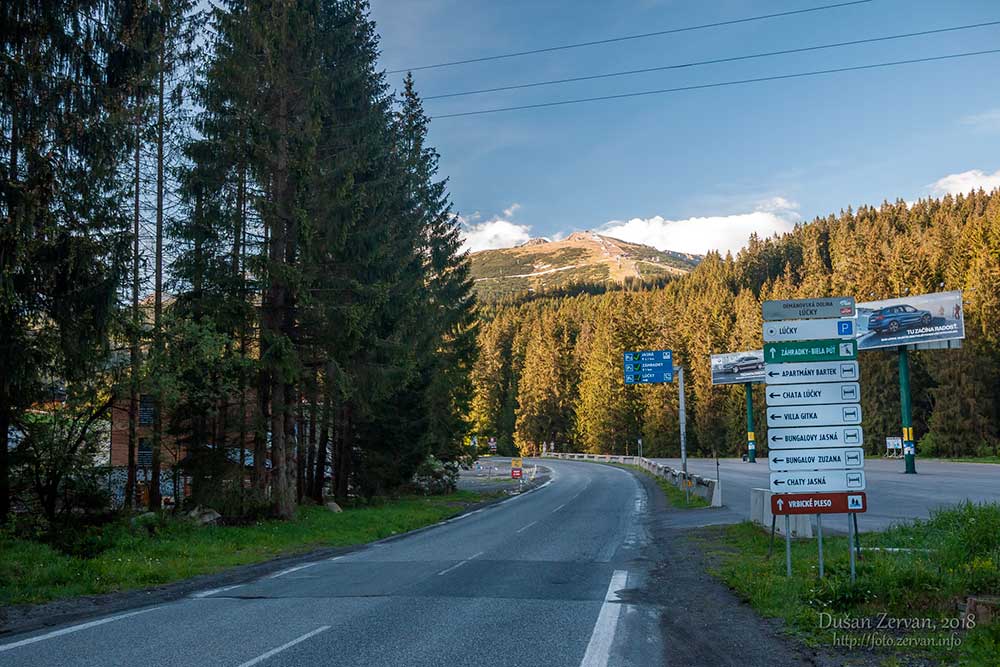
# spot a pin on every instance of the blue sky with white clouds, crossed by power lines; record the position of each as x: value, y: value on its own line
x: 701, y: 169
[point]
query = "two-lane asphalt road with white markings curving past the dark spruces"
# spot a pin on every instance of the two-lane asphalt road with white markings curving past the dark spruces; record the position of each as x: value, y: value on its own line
x: 536, y: 579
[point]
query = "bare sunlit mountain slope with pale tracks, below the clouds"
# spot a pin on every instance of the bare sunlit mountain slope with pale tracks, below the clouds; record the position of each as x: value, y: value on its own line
x: 584, y: 257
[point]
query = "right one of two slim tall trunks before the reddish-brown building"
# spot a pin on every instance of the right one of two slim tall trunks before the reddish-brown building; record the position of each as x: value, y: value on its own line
x: 154, y: 485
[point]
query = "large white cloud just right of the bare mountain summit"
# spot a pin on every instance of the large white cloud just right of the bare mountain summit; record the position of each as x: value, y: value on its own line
x: 725, y: 233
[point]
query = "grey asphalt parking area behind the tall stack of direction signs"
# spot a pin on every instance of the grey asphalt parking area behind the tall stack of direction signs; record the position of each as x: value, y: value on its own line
x: 893, y: 497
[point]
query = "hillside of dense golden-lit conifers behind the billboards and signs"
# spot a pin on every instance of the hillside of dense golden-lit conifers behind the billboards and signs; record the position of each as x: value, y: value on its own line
x: 550, y: 369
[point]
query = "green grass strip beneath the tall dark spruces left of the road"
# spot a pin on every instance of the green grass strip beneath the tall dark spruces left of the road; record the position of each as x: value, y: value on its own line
x: 32, y: 572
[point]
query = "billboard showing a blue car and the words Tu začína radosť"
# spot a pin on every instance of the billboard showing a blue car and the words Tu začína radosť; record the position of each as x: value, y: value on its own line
x: 924, y: 318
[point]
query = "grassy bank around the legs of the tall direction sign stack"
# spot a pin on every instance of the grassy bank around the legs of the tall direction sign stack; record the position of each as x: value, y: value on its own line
x: 911, y: 579
